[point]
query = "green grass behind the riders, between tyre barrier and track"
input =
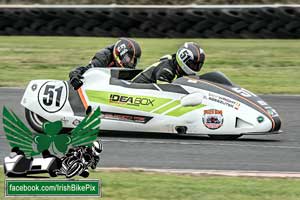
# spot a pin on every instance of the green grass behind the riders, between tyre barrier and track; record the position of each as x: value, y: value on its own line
x: 262, y: 66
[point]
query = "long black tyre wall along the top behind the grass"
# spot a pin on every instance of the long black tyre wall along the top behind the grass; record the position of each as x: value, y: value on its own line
x: 234, y: 21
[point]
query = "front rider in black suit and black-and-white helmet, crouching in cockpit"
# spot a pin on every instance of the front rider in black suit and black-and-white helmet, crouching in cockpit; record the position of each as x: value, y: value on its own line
x: 188, y: 60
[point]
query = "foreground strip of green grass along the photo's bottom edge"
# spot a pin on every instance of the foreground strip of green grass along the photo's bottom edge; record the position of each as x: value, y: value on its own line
x: 138, y: 186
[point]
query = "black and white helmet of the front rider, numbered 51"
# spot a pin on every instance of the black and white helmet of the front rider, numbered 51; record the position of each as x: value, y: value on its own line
x: 190, y: 58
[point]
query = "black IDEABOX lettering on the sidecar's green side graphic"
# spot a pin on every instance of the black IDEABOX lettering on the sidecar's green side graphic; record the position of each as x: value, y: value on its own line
x: 129, y: 100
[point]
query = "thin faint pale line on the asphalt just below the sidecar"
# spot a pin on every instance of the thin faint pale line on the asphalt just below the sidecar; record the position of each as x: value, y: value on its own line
x: 198, y: 143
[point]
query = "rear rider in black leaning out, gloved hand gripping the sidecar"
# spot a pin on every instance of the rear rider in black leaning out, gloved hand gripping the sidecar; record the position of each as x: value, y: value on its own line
x: 124, y: 53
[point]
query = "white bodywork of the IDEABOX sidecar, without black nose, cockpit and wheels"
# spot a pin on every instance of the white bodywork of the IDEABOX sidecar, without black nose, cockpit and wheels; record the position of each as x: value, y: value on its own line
x: 213, y: 117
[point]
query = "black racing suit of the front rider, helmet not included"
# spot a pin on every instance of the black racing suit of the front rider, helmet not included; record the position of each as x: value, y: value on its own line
x: 165, y: 70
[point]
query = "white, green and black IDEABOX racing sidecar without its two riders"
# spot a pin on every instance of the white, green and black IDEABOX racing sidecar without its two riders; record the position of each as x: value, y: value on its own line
x: 209, y: 104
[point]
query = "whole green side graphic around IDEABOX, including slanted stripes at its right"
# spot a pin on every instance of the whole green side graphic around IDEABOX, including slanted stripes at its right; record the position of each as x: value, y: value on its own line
x: 104, y: 98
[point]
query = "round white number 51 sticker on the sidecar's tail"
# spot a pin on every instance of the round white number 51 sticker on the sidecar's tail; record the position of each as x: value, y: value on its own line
x: 53, y: 96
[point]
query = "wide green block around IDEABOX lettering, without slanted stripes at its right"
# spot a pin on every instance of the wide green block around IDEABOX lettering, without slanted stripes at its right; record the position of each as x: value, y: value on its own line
x: 104, y: 98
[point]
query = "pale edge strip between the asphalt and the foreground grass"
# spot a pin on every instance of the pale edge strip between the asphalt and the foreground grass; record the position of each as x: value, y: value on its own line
x: 196, y: 172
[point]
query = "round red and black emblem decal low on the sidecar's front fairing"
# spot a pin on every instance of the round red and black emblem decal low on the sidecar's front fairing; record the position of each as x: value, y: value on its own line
x: 213, y: 119
